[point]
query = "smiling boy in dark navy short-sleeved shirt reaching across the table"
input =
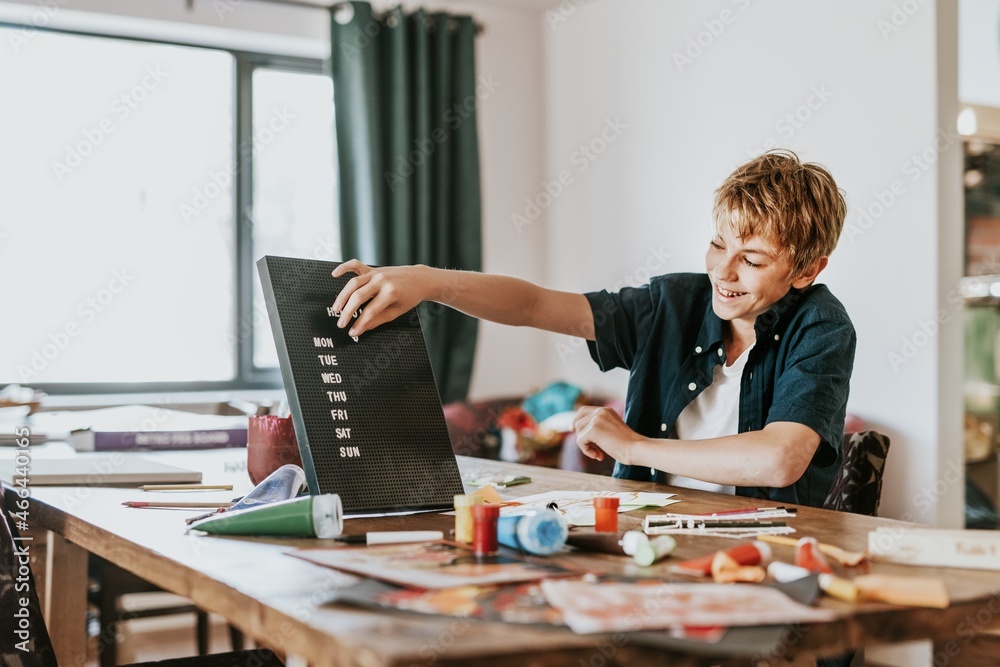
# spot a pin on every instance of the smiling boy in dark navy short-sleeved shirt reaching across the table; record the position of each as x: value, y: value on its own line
x: 738, y: 377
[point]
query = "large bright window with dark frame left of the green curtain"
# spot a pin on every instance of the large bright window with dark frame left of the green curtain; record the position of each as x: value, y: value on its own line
x: 141, y: 182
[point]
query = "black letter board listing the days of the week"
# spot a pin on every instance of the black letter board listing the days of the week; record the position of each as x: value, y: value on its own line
x: 367, y: 414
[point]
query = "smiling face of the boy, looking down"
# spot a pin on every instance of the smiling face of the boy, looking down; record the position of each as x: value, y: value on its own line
x: 749, y: 275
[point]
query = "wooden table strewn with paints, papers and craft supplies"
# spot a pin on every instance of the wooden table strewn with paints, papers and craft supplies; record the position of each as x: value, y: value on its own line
x: 283, y: 602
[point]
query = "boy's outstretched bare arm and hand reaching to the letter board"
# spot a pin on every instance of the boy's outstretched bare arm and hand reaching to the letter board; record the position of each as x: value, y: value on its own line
x: 391, y: 291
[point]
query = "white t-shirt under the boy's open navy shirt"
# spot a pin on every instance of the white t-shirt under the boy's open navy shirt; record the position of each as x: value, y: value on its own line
x: 713, y: 414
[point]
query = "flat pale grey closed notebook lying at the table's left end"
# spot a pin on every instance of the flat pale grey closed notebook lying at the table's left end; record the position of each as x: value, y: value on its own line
x: 95, y: 470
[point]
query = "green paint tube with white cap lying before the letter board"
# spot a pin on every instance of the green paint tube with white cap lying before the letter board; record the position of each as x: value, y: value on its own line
x: 308, y: 516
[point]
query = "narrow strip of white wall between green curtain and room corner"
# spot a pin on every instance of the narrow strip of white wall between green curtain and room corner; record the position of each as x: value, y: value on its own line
x: 511, y: 134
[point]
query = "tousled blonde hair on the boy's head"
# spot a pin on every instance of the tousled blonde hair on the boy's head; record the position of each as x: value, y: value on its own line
x: 794, y: 205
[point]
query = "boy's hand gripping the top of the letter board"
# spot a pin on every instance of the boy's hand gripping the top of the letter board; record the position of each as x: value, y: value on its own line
x: 388, y: 292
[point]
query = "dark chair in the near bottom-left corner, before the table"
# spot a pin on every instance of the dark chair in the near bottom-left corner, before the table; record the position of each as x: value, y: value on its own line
x: 18, y: 586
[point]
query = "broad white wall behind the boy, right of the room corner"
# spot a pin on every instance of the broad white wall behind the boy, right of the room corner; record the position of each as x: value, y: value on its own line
x: 688, y: 123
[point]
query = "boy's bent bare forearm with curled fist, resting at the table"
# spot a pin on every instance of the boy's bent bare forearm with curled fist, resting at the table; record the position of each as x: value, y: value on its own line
x: 776, y: 456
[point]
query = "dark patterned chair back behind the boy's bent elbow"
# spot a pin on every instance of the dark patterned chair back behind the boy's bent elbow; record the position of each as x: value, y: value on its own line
x: 858, y: 485
